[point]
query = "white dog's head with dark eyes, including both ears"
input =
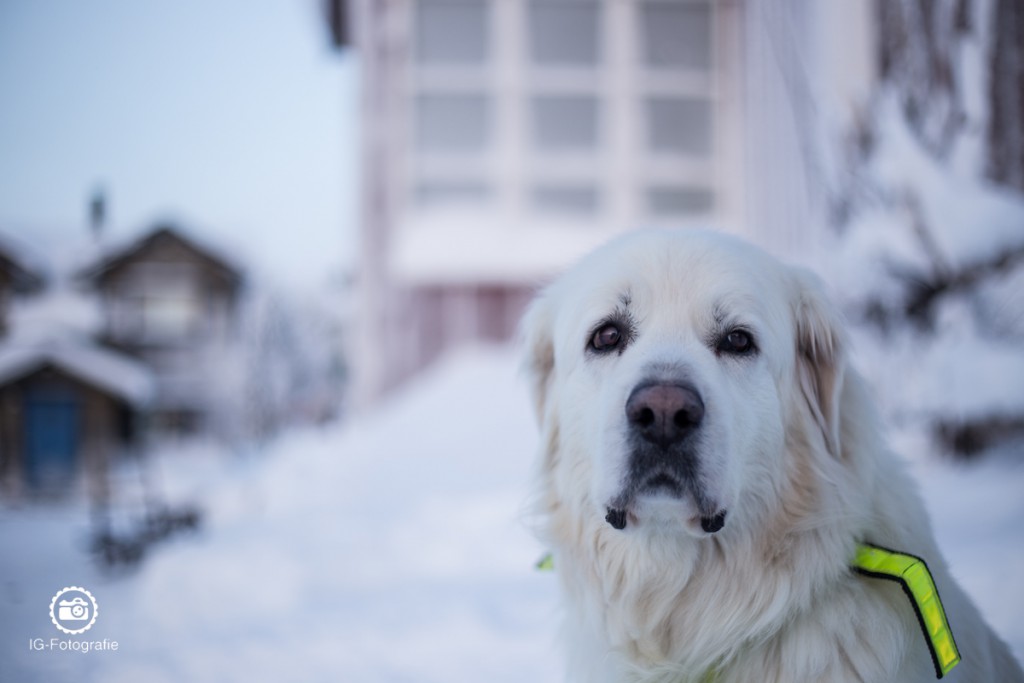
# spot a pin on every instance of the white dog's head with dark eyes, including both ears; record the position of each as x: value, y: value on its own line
x: 667, y: 363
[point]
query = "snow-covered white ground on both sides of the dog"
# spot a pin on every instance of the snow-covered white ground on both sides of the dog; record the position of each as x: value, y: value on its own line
x: 389, y: 549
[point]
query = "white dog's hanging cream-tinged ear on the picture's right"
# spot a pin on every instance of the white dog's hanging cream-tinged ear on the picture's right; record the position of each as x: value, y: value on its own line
x: 821, y: 355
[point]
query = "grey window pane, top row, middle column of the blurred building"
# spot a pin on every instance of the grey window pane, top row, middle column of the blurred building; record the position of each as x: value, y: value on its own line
x: 565, y: 33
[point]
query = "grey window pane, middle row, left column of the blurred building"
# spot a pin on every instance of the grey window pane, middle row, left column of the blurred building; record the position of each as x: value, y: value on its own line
x: 453, y: 123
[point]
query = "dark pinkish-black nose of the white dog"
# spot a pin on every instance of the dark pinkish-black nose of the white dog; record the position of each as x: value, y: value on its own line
x: 664, y: 414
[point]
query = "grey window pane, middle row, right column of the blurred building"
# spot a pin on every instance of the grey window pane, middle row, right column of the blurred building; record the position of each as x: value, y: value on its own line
x: 679, y: 126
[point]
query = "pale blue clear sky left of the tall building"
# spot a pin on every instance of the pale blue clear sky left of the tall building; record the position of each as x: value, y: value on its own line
x: 235, y: 116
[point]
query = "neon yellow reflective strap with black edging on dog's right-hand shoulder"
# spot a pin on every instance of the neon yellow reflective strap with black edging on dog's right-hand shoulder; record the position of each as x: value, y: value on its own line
x: 913, y: 576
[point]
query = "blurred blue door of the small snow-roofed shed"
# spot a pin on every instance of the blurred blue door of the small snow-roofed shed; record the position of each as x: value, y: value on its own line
x: 51, y: 438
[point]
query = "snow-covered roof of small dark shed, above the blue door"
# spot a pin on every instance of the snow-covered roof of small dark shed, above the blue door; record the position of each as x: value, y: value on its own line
x: 109, y: 371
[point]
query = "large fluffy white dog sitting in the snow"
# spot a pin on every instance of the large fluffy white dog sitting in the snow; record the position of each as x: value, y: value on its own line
x: 710, y: 472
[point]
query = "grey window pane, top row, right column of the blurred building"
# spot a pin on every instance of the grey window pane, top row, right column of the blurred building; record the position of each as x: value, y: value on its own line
x: 676, y: 34
